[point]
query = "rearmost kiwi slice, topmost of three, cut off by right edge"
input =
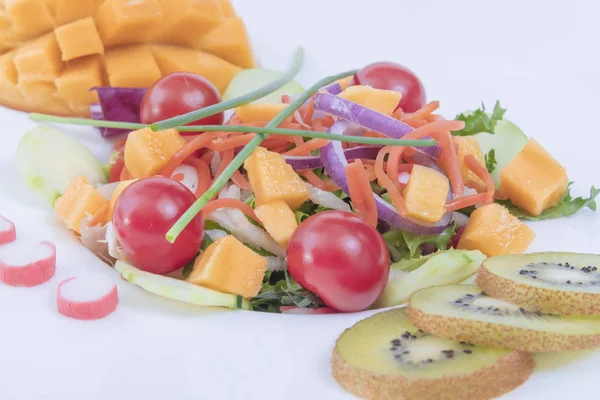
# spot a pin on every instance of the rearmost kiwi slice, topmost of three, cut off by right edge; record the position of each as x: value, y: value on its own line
x: 553, y: 283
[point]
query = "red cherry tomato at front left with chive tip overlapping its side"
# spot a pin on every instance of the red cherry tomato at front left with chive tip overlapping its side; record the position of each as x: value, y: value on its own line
x: 143, y: 214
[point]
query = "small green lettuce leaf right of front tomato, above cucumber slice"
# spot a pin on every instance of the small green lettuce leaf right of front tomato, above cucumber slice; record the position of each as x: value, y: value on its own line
x: 403, y: 245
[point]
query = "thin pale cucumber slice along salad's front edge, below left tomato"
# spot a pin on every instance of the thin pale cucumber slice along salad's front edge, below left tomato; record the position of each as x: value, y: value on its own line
x: 179, y: 290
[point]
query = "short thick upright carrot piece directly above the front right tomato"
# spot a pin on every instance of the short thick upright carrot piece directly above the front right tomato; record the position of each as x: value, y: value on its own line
x: 361, y: 193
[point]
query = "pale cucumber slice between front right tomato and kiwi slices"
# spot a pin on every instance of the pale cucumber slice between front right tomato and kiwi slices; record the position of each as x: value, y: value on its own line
x: 441, y: 268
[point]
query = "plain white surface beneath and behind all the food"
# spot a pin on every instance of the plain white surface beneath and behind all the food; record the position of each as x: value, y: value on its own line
x: 538, y: 57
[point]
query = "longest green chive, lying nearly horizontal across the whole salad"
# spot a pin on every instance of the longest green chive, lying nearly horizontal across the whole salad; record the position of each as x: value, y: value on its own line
x: 239, y: 128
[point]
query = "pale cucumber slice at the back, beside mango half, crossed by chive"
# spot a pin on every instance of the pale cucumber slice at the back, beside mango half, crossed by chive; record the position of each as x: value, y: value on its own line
x: 251, y: 79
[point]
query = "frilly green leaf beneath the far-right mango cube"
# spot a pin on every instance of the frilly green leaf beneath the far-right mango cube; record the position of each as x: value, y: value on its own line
x: 567, y: 206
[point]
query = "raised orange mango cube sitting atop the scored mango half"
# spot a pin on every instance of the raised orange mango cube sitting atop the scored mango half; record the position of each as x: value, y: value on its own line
x: 78, y: 39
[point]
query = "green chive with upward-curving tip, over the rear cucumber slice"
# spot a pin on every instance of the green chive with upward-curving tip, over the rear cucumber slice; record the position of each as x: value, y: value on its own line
x: 235, y: 102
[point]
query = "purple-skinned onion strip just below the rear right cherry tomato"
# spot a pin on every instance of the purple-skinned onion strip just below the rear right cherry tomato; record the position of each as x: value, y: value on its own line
x: 365, y: 117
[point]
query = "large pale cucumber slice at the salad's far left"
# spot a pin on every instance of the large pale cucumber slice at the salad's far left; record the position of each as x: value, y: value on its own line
x: 48, y: 160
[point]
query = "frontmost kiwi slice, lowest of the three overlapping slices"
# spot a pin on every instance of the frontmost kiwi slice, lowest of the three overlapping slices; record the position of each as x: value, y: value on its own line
x: 386, y: 357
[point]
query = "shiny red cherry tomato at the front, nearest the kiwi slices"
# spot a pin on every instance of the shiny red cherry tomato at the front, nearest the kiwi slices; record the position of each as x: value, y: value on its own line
x: 340, y: 258
